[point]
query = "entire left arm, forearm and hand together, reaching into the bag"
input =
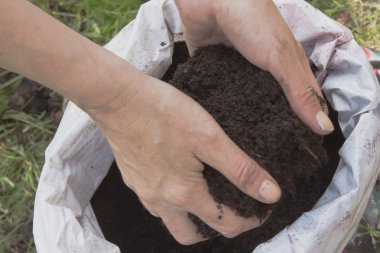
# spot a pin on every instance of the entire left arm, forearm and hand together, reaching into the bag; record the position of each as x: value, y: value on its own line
x: 159, y: 136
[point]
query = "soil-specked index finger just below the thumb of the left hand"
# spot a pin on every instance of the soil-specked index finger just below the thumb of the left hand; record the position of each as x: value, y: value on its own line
x: 220, y: 217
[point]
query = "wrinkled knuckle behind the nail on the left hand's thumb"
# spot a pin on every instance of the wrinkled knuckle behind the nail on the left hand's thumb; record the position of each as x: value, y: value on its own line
x: 246, y: 173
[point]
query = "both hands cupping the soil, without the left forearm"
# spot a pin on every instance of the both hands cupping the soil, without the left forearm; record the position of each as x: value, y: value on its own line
x: 161, y: 137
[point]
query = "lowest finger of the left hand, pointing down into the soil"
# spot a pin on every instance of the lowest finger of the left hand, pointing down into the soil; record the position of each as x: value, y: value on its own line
x: 180, y: 226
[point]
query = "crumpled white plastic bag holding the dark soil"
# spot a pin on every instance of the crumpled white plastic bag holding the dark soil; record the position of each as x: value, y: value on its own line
x: 79, y: 157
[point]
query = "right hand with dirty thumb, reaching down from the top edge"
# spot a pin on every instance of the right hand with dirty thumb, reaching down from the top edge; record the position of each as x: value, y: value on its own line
x: 257, y: 30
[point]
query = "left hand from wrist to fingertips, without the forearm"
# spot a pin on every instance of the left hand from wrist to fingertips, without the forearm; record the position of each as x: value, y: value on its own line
x: 160, y: 137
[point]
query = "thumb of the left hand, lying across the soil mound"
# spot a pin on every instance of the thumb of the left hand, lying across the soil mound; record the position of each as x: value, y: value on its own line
x: 221, y: 153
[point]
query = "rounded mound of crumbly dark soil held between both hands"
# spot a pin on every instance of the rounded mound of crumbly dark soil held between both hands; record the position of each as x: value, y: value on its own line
x: 250, y: 106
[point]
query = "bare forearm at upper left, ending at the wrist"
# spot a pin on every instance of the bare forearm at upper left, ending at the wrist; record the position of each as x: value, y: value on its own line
x: 36, y: 45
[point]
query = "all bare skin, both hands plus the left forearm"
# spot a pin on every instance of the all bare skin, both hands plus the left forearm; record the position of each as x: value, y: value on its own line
x: 160, y: 137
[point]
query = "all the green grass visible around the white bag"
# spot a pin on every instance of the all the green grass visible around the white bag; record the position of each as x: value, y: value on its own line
x: 24, y: 137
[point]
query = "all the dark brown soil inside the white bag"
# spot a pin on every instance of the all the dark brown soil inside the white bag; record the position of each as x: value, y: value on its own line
x: 250, y: 107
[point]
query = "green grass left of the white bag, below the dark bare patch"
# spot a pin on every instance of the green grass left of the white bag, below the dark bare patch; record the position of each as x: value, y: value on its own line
x: 23, y: 141
